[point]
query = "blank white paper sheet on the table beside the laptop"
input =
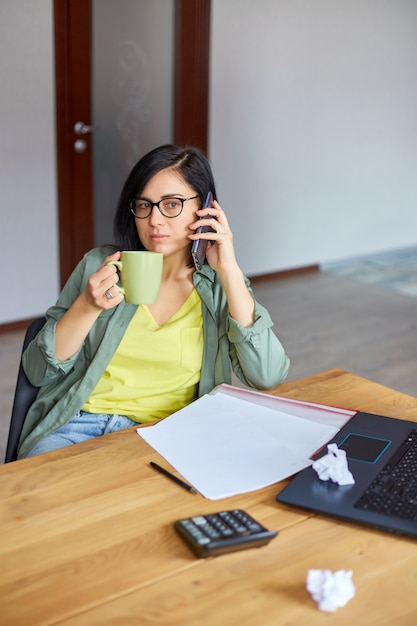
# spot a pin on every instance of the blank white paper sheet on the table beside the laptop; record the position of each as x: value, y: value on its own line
x: 224, y: 446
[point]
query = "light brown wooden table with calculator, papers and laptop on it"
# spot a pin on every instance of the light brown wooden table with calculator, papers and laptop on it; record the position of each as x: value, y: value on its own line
x: 86, y: 537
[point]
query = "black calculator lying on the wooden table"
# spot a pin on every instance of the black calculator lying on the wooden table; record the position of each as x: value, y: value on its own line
x: 219, y: 533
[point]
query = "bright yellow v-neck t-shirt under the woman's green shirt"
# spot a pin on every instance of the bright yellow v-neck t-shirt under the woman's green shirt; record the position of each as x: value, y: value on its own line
x: 155, y: 371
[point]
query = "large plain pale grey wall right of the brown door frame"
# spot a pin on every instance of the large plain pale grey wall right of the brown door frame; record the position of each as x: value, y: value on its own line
x: 313, y: 127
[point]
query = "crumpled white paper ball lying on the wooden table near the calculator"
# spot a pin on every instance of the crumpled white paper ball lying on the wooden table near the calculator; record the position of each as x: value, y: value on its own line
x: 330, y: 590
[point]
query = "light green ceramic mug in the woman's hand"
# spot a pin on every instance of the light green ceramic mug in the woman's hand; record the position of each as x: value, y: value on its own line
x: 140, y: 275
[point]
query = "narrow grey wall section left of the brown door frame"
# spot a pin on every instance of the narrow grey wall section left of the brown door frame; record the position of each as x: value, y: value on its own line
x: 28, y: 212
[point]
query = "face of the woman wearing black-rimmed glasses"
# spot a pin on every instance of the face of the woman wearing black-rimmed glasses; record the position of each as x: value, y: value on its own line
x: 163, y: 234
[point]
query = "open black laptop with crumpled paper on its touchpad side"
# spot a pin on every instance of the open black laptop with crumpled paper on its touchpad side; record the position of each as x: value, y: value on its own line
x: 382, y: 456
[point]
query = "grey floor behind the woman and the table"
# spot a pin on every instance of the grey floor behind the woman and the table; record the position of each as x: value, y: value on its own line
x: 338, y: 317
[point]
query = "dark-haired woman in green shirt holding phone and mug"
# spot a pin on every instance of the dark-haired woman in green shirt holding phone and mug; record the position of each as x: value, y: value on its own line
x: 102, y: 364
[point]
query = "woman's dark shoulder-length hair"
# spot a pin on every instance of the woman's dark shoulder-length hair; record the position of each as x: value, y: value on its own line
x: 191, y: 165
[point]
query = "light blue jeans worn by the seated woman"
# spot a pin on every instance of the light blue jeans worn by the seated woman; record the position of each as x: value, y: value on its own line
x: 81, y: 427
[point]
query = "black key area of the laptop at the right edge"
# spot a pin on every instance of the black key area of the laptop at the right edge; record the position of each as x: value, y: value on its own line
x: 394, y: 490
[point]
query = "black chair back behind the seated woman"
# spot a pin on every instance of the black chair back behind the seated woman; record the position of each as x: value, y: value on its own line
x: 25, y: 394
